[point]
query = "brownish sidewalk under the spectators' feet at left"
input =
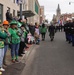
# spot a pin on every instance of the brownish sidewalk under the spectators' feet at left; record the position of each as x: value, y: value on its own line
x: 16, y: 68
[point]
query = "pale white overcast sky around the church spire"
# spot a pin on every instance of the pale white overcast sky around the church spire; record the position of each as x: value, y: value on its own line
x: 51, y: 6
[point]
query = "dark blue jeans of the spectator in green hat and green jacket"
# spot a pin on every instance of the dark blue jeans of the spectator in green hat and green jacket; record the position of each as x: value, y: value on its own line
x: 14, y: 50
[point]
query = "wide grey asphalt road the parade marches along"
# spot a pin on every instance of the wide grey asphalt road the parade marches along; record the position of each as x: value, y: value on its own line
x: 51, y: 58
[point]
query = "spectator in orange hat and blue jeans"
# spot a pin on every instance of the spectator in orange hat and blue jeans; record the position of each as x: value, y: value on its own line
x: 6, y: 41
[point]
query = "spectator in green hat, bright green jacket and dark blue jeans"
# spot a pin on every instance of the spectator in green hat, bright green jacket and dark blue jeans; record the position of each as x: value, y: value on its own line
x: 15, y: 41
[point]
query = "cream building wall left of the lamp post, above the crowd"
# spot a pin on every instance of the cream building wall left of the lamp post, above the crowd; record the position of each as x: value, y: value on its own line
x: 10, y: 5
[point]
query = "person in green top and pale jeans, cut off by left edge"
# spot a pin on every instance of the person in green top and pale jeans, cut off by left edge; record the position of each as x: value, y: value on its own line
x: 3, y: 36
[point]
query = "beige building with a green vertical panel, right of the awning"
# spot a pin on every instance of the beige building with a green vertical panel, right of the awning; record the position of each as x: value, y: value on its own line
x: 34, y: 6
